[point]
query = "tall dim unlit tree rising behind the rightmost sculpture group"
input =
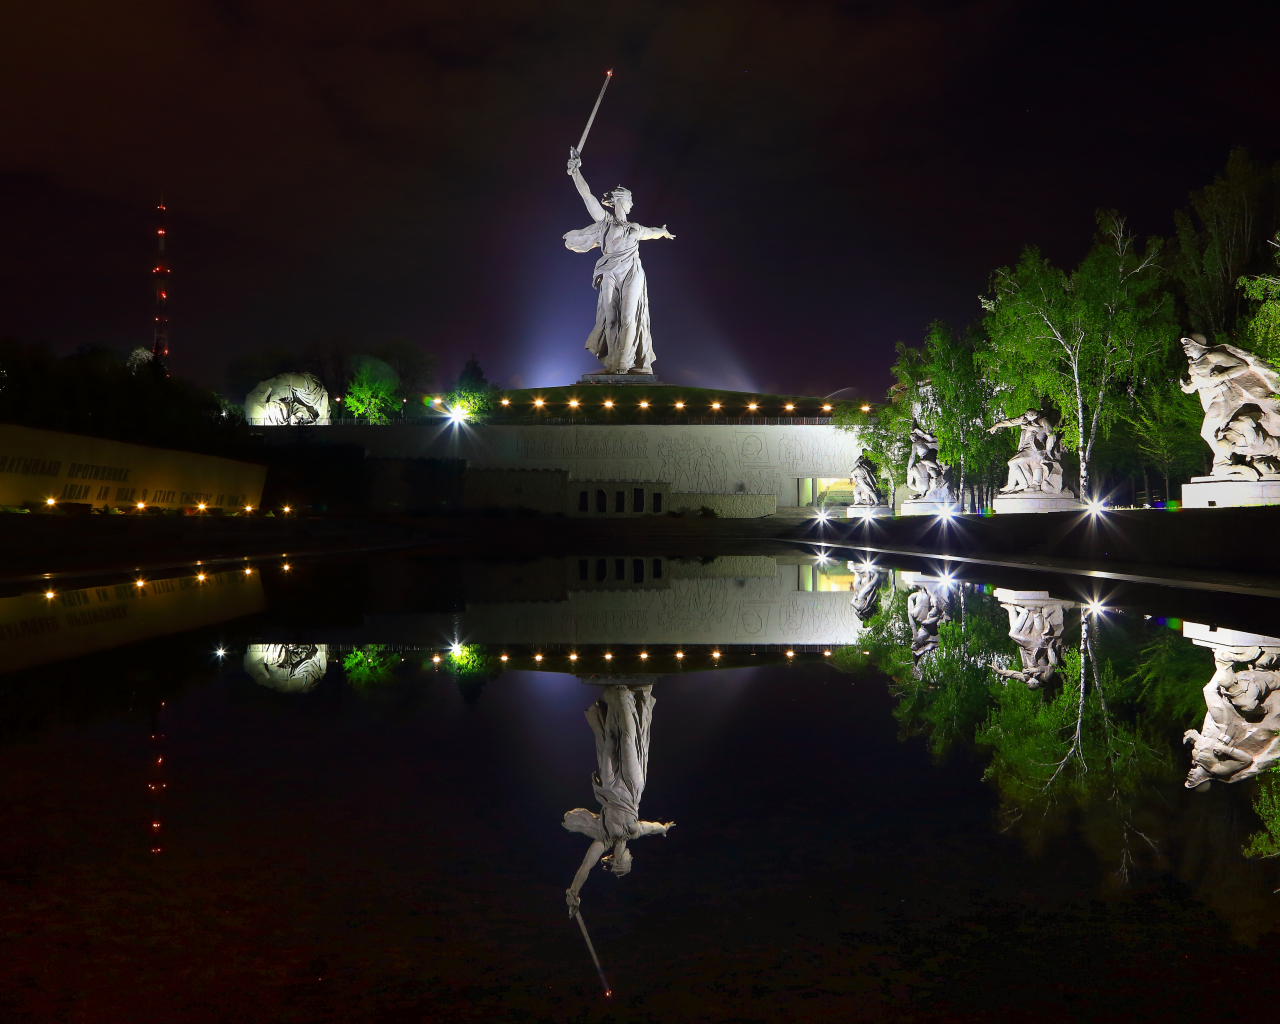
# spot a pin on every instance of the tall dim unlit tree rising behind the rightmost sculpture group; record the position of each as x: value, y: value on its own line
x: 1219, y: 239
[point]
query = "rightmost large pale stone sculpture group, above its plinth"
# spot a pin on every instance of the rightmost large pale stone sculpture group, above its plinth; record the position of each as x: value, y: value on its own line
x: 1242, y: 415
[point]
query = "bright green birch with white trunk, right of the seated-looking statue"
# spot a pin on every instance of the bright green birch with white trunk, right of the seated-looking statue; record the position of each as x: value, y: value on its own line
x: 1084, y: 340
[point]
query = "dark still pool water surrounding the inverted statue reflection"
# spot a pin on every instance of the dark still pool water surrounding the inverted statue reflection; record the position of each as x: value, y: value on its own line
x: 860, y: 835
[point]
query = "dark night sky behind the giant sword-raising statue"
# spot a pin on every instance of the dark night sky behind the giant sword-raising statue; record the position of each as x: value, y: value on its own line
x: 836, y: 175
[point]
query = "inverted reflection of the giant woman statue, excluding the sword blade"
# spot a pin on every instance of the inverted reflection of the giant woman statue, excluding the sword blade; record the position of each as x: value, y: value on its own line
x: 621, y: 720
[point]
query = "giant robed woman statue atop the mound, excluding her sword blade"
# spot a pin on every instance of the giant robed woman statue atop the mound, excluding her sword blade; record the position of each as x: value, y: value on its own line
x: 621, y: 337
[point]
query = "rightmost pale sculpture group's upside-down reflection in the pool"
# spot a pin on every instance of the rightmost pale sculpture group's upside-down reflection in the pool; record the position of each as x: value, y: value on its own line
x: 1238, y: 739
